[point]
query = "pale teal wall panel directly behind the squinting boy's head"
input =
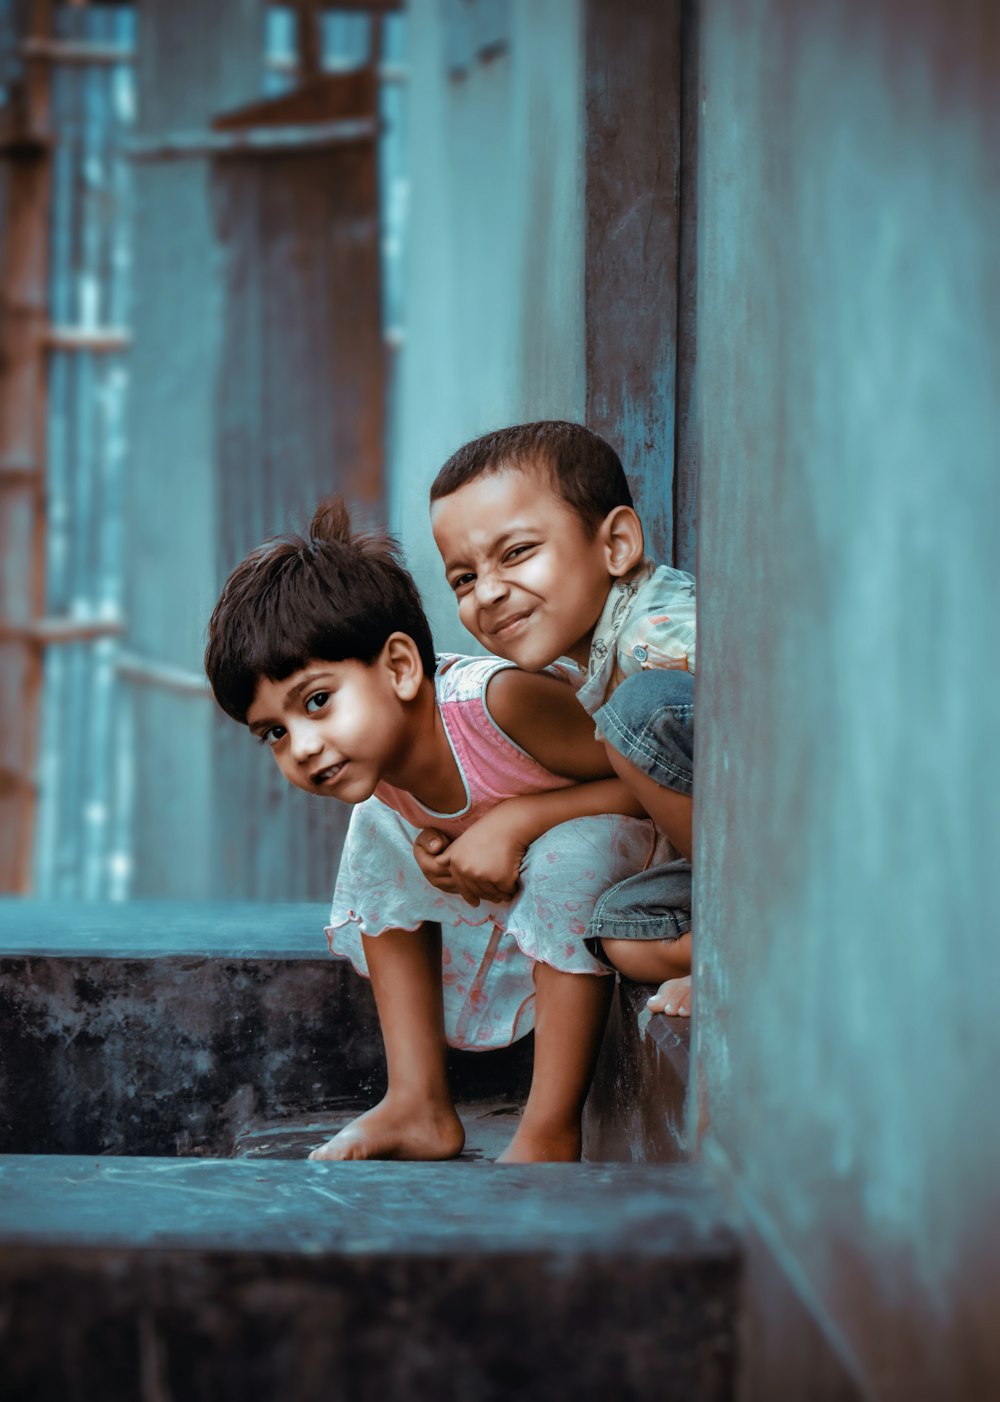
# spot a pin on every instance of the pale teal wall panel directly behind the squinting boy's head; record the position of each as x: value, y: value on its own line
x: 494, y: 266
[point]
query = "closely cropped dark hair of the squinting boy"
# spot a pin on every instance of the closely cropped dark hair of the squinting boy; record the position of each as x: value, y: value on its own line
x: 584, y: 469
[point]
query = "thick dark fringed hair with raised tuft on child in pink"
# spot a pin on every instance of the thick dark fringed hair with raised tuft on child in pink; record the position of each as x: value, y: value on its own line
x: 332, y: 595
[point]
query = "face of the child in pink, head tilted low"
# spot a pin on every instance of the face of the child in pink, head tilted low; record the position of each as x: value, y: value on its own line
x: 335, y: 728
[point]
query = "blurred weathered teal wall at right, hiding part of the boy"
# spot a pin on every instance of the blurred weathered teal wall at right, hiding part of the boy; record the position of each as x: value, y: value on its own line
x: 848, y: 1041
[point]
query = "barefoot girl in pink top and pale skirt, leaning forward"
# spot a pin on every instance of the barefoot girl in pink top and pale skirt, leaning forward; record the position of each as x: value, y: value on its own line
x: 322, y: 648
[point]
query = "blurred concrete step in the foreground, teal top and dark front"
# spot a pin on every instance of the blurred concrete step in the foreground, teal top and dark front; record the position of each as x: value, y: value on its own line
x: 210, y: 1281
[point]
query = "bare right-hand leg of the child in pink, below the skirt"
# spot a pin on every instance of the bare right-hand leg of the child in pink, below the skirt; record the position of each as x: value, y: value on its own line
x: 570, y: 1014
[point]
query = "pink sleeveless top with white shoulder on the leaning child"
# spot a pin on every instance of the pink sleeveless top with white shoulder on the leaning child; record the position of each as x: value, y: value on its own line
x: 493, y: 768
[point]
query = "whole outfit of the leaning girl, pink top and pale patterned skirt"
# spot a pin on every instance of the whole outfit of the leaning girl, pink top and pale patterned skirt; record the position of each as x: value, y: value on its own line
x: 489, y: 950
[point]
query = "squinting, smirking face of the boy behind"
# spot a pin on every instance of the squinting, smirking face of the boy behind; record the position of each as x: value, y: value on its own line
x: 529, y: 581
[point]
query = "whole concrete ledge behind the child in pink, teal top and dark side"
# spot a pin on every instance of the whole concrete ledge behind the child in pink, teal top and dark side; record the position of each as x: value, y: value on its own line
x: 180, y: 1026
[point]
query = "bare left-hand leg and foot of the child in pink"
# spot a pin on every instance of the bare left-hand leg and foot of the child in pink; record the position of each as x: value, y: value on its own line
x: 417, y: 1118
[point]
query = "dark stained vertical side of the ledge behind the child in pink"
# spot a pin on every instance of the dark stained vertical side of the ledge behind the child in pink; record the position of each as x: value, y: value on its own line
x: 170, y: 1056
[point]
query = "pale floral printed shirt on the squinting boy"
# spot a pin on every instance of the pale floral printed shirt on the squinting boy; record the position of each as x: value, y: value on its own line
x: 649, y: 622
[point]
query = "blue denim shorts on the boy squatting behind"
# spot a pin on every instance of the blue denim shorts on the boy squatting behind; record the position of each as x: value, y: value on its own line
x: 650, y: 720
